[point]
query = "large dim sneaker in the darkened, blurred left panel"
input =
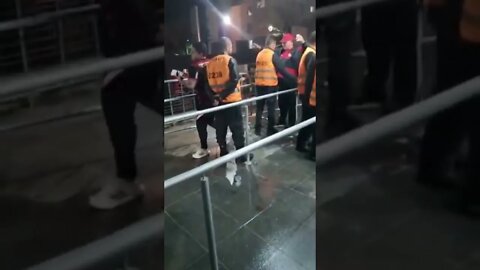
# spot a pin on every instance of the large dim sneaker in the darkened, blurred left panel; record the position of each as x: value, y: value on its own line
x: 115, y: 193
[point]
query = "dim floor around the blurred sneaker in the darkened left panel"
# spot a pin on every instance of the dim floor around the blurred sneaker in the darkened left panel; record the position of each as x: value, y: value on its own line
x: 47, y: 173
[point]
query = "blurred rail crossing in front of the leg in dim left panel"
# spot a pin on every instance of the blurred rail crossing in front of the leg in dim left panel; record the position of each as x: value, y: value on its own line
x: 24, y: 83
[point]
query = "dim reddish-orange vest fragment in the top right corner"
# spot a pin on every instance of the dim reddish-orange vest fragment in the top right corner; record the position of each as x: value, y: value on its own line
x: 470, y: 22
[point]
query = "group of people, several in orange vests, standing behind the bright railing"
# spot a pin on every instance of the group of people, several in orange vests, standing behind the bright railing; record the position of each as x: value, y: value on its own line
x: 216, y: 81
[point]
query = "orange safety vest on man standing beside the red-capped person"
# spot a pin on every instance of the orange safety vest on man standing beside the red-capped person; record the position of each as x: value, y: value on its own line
x: 265, y: 73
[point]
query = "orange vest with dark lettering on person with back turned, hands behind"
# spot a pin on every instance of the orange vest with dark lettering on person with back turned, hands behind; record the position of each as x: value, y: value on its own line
x: 219, y: 74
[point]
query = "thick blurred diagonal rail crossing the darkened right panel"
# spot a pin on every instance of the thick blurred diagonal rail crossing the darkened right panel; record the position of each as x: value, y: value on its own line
x: 391, y: 124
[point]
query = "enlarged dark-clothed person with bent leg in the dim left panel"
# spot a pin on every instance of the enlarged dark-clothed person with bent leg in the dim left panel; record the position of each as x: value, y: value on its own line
x: 126, y: 26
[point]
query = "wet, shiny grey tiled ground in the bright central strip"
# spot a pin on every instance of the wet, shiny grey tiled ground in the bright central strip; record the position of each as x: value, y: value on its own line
x: 267, y: 222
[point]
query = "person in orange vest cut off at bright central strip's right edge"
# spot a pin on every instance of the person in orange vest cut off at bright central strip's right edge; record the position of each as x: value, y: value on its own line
x: 307, y: 83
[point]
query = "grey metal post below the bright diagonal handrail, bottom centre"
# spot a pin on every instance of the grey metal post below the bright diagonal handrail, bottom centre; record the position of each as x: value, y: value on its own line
x: 207, y: 208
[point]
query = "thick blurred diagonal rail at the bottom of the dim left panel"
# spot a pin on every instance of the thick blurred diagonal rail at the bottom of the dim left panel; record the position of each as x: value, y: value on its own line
x: 106, y: 248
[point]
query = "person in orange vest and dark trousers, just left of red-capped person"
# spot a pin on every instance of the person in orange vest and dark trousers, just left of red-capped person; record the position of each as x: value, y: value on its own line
x: 266, y: 82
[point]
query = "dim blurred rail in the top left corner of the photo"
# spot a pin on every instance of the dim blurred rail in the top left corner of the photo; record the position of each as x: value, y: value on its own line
x: 44, y: 18
